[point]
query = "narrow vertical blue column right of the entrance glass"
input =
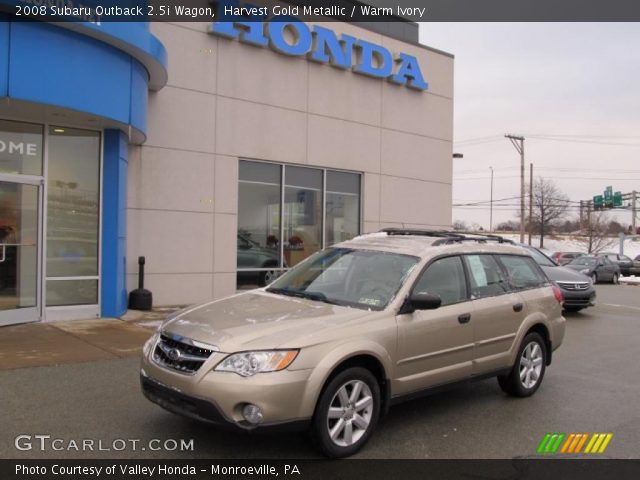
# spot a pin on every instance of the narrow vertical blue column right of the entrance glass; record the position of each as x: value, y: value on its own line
x: 114, y: 221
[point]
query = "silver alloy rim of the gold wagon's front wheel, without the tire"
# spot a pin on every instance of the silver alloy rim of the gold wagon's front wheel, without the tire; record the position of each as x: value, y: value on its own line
x: 350, y: 413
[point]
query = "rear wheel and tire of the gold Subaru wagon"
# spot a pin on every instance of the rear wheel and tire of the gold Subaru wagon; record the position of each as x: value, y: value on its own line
x: 513, y: 384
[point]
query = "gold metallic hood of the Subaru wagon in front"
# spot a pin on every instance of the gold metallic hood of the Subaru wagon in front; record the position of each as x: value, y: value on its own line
x: 261, y: 320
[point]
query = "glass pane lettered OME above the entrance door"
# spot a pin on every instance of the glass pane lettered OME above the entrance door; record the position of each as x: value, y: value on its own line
x: 20, y: 148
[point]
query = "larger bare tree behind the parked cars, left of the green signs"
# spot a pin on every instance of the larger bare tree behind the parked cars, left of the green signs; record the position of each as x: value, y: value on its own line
x: 549, y: 206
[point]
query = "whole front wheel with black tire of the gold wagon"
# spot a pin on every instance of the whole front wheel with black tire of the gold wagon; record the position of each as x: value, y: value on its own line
x: 360, y: 422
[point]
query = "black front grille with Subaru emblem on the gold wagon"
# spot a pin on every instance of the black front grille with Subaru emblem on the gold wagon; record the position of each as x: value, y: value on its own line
x: 181, y: 355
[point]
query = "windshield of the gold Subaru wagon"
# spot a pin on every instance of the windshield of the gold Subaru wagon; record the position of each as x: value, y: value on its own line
x: 358, y: 278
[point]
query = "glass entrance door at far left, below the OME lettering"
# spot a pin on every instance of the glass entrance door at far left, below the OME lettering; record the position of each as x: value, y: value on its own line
x: 19, y: 249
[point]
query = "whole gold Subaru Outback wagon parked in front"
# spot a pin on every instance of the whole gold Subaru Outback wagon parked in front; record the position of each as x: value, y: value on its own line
x: 333, y: 343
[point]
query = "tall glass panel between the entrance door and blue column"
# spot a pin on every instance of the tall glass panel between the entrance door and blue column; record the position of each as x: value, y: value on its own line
x: 73, y: 216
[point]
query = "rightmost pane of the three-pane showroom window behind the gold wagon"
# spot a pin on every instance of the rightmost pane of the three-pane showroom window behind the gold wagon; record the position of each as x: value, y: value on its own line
x: 343, y: 206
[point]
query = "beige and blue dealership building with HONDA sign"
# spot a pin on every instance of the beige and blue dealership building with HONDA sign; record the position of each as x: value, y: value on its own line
x: 222, y: 152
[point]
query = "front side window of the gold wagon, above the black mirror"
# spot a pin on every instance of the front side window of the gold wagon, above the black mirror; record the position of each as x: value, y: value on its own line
x: 444, y: 277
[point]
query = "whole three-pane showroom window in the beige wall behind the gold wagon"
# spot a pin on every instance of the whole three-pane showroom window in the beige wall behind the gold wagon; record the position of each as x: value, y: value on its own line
x: 281, y: 212
